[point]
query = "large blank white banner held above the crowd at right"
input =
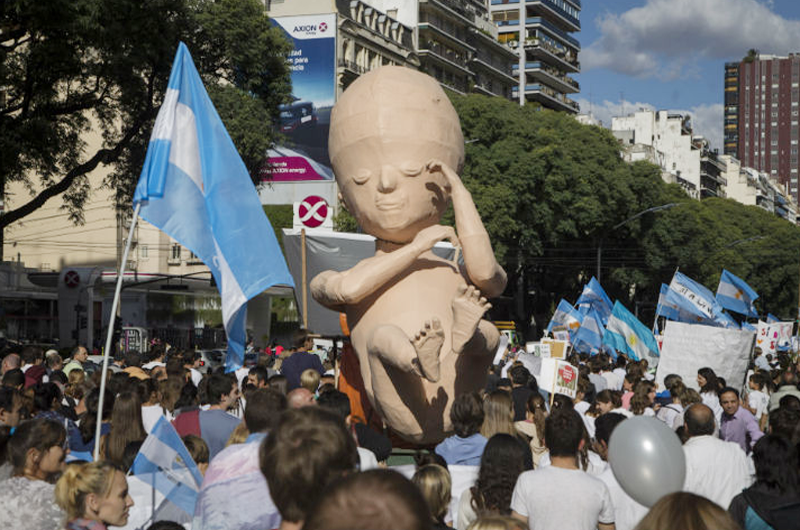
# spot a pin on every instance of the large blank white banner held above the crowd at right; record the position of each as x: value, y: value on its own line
x: 689, y: 347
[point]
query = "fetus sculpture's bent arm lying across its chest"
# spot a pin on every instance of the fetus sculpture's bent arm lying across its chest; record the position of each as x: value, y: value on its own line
x: 337, y: 289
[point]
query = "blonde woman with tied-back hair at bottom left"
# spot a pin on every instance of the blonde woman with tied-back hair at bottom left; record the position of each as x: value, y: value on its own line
x: 94, y: 496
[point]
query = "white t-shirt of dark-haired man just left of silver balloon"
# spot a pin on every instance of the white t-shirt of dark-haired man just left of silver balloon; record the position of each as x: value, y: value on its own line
x: 554, y: 498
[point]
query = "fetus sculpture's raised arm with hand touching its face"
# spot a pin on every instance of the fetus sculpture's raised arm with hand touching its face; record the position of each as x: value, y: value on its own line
x: 482, y: 267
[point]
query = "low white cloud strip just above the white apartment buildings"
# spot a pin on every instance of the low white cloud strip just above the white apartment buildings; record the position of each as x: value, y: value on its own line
x: 706, y: 118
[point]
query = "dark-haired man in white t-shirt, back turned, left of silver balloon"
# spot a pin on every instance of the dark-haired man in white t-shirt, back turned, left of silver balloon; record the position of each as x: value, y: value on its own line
x: 561, y: 496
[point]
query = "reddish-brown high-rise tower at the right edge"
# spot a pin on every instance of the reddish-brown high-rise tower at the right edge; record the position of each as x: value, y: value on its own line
x: 767, y: 103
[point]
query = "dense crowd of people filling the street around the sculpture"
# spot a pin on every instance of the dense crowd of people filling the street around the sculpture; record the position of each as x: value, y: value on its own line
x: 279, y: 447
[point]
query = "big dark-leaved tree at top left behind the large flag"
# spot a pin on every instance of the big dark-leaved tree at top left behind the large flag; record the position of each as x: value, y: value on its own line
x: 71, y: 68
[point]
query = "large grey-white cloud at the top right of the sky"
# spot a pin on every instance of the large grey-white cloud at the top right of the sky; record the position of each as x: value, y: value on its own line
x: 666, y: 38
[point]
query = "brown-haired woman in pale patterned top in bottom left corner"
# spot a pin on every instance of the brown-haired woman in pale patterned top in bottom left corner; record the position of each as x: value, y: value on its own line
x: 36, y: 452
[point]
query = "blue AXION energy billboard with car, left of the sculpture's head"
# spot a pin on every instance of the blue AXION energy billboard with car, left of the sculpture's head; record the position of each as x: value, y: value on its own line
x: 305, y: 121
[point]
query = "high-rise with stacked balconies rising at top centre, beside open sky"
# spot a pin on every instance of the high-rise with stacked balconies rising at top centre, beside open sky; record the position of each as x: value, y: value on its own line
x: 547, y: 52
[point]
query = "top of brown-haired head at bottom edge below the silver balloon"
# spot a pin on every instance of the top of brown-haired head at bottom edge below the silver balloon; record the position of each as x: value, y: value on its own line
x: 686, y: 511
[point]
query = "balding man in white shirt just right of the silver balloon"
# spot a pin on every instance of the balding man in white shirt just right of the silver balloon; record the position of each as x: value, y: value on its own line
x: 715, y: 469
